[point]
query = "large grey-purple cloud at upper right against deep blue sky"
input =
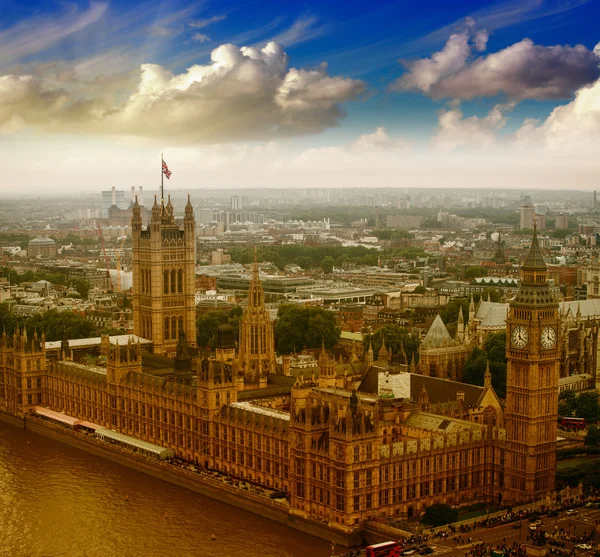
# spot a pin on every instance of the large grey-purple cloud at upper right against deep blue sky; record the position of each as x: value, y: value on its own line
x: 521, y: 71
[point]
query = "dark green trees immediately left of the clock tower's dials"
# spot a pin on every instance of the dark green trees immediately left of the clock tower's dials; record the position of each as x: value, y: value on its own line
x: 495, y: 351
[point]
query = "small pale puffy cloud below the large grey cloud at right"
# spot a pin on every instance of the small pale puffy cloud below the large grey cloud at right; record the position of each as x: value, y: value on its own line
x: 475, y: 133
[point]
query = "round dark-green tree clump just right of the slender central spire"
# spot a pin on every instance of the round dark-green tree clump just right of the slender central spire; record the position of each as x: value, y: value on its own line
x: 299, y: 327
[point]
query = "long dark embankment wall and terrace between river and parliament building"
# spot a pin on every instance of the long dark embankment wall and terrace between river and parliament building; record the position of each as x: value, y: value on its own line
x: 215, y: 489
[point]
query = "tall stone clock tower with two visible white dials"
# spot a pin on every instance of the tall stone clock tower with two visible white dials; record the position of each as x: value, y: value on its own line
x: 532, y: 354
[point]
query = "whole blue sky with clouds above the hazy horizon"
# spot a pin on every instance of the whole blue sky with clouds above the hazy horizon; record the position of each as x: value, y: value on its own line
x: 329, y: 93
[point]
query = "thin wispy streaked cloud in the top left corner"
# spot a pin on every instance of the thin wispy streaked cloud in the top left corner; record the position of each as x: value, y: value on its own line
x: 37, y: 33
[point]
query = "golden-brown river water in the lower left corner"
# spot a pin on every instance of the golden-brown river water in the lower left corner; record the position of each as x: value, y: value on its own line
x: 57, y: 501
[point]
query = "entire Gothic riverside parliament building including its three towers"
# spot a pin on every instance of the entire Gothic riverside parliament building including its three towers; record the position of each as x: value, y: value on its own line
x: 357, y: 440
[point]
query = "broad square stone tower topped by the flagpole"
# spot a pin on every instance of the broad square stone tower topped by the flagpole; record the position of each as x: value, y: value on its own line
x: 164, y: 260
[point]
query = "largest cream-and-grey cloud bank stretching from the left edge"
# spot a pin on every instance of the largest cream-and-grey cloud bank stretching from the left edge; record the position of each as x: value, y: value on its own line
x: 243, y: 93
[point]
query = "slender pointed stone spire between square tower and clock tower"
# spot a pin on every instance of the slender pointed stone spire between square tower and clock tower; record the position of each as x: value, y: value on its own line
x: 257, y: 344
